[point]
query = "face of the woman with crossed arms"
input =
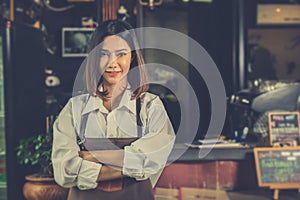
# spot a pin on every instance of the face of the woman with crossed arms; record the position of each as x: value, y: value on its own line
x: 115, y: 59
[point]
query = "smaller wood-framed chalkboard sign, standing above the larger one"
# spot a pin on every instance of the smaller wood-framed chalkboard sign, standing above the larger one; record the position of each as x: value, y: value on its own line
x: 283, y: 127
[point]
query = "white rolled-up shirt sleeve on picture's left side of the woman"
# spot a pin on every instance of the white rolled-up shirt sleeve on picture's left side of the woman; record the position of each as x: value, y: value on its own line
x: 69, y: 169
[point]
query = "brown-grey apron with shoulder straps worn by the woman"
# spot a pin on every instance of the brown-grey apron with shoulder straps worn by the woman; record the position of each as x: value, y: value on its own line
x: 131, y: 188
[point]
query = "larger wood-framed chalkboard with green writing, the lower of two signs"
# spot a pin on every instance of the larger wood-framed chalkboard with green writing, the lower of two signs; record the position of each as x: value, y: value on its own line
x: 278, y: 167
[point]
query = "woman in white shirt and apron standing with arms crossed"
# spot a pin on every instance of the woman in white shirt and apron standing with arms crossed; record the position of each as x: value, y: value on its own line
x: 125, y: 129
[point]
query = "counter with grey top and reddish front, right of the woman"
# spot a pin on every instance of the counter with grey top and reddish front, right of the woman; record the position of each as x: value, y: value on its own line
x: 222, y: 168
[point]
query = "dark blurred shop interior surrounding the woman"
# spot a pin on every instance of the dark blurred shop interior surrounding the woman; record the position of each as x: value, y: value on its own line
x: 253, y: 44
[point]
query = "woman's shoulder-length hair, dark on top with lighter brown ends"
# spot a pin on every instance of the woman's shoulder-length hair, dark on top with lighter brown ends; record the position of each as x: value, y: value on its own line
x: 124, y: 30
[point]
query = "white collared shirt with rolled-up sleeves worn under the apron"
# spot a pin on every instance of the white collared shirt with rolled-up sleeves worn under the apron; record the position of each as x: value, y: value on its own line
x: 144, y: 158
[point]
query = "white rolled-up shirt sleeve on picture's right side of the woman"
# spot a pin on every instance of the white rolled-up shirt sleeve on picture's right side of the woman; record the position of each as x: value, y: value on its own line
x: 147, y: 156
